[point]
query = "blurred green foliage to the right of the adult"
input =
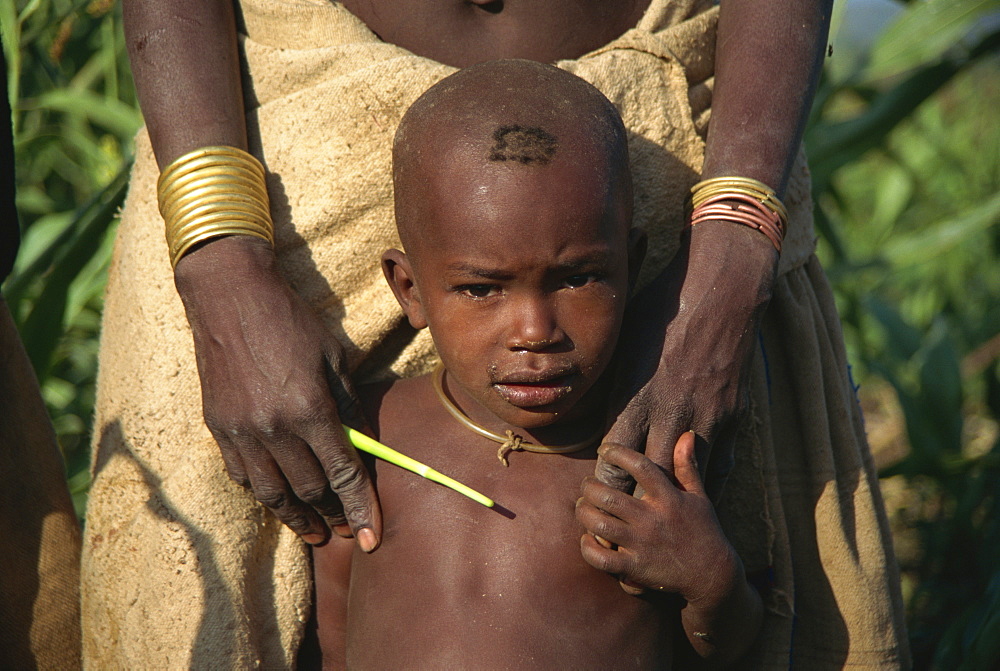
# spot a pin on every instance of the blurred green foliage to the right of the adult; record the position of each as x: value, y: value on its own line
x: 906, y: 178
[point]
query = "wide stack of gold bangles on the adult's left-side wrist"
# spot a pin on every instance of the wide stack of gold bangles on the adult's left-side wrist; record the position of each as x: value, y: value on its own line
x: 213, y: 192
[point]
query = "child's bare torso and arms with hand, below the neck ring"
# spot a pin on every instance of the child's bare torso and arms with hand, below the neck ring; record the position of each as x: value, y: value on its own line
x: 455, y: 584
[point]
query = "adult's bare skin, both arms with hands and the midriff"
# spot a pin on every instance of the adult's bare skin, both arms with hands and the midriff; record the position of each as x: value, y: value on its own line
x: 274, y: 400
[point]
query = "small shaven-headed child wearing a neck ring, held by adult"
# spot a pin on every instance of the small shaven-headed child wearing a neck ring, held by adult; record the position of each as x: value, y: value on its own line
x: 513, y: 202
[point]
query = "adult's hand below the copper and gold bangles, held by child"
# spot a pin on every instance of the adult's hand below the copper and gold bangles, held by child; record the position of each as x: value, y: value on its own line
x: 685, y: 351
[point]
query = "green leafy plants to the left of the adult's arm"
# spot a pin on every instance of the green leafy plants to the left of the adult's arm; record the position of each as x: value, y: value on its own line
x: 74, y: 115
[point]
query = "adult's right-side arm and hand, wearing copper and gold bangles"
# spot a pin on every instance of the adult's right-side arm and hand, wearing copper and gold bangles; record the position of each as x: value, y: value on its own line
x: 709, y: 301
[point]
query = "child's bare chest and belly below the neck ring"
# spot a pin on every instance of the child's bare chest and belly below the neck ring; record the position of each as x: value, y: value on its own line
x: 507, y: 586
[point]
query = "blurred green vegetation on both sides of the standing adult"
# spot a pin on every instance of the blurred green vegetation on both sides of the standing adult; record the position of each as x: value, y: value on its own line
x: 903, y: 144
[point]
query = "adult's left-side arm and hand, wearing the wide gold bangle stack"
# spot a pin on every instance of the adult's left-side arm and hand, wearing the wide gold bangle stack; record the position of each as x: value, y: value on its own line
x: 274, y: 383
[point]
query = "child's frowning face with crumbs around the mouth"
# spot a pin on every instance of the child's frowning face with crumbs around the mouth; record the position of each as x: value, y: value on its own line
x: 522, y: 274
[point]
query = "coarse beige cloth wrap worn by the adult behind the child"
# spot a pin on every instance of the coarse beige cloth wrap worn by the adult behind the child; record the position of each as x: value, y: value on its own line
x: 182, y: 568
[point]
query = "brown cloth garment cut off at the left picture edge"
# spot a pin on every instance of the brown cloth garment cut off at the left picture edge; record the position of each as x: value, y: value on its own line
x: 39, y: 582
